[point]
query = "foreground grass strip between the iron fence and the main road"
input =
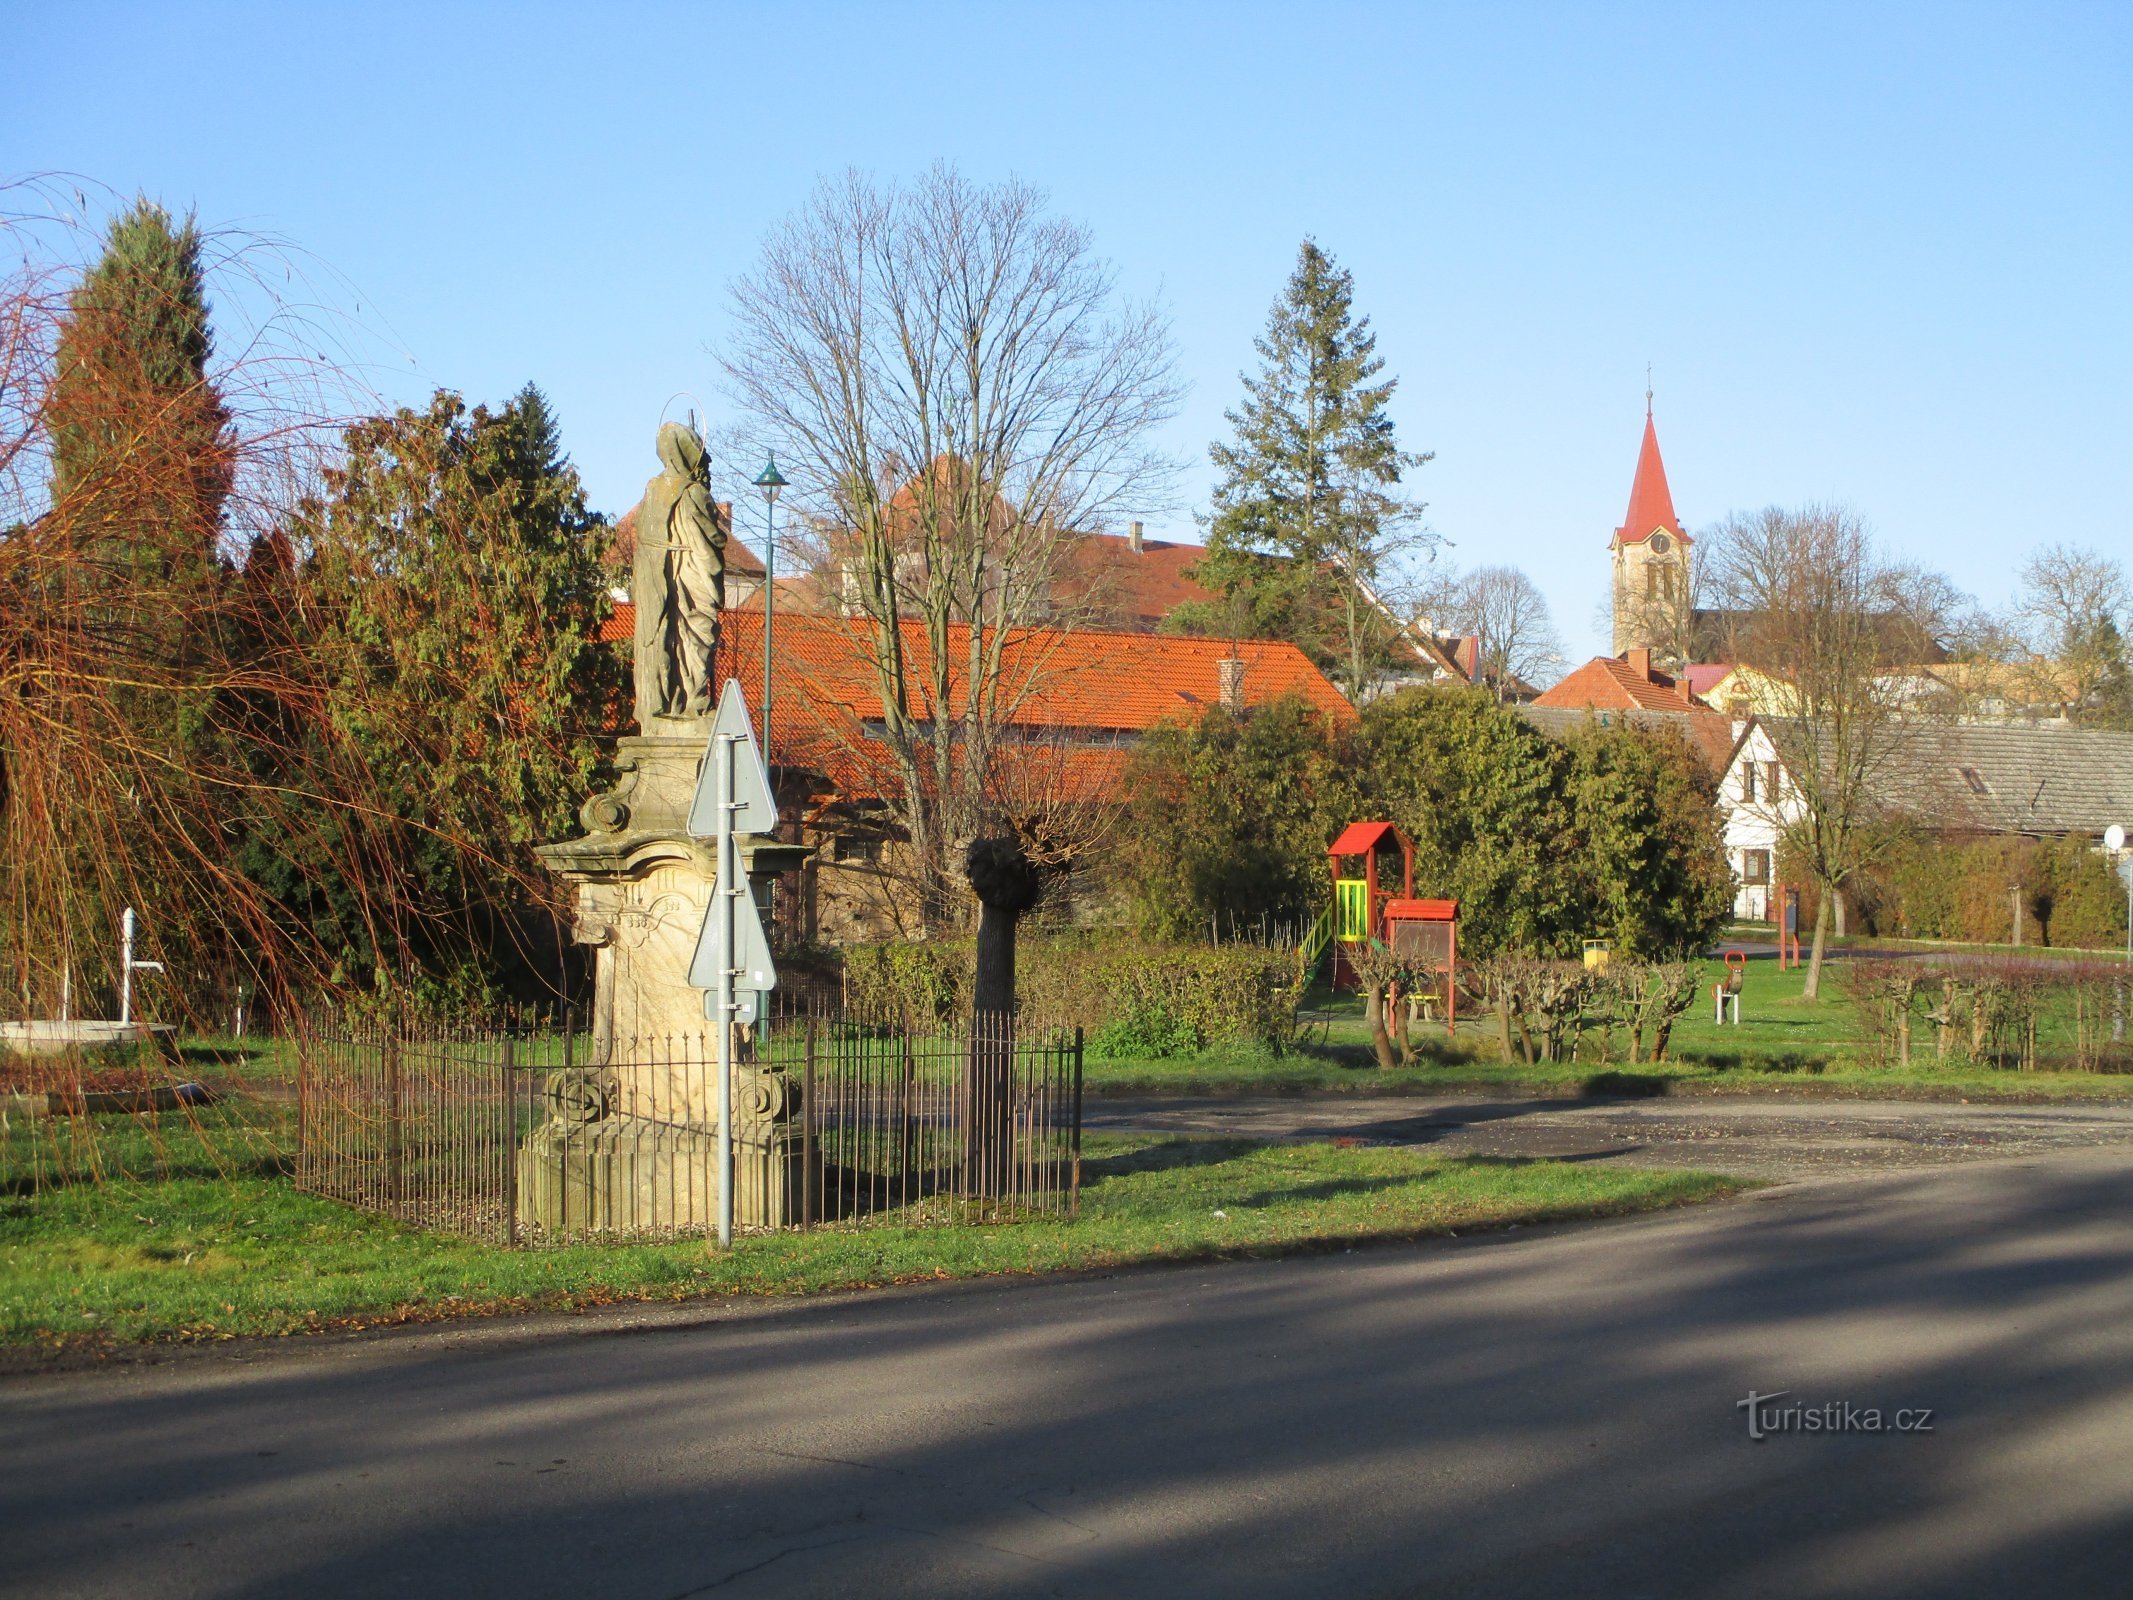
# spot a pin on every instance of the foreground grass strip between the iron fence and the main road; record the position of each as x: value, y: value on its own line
x: 223, y: 1245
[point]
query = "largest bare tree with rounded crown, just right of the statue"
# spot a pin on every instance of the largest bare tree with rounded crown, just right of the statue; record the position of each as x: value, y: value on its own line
x: 957, y: 387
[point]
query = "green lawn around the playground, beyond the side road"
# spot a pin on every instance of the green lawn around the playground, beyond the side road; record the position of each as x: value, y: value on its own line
x: 1782, y: 1040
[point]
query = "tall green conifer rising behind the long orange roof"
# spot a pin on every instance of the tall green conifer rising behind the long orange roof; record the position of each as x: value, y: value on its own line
x: 1306, y: 517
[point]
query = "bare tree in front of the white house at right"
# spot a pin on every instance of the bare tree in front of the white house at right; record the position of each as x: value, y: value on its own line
x: 1833, y: 626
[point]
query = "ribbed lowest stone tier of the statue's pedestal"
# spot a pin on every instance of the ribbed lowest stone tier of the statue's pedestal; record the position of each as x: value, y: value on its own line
x: 630, y: 1174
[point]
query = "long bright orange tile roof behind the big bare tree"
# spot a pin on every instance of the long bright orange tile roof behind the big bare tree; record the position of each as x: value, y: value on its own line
x: 1095, y: 686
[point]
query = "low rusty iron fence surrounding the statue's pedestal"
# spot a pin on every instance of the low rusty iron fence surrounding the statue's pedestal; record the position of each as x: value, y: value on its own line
x: 522, y: 1138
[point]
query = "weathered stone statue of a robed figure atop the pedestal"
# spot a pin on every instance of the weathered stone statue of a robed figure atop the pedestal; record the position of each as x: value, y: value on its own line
x: 677, y: 583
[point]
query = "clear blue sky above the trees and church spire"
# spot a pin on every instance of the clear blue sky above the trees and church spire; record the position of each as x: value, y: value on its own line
x: 1874, y: 255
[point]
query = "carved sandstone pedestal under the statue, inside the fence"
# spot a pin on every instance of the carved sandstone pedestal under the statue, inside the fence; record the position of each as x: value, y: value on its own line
x: 632, y: 1136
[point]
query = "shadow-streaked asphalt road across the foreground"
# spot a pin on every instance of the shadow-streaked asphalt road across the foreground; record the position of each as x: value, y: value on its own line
x: 1545, y: 1413
